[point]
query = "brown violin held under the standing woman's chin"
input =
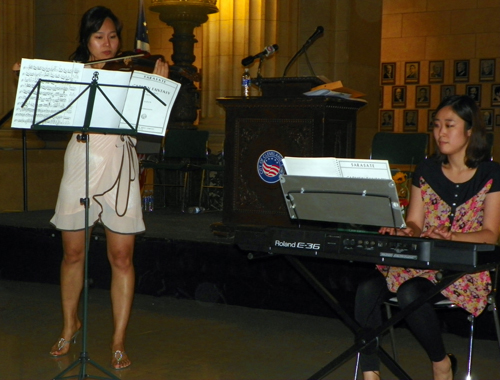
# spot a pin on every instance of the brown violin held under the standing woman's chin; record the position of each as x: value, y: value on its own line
x: 129, y: 61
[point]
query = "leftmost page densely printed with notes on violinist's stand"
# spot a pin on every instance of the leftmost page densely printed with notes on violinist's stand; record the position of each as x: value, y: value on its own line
x: 59, y: 95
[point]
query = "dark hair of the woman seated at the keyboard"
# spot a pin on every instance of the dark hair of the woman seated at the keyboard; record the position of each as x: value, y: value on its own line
x: 478, y: 148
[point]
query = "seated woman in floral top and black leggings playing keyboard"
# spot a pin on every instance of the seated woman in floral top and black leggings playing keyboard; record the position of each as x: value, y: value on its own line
x: 455, y: 195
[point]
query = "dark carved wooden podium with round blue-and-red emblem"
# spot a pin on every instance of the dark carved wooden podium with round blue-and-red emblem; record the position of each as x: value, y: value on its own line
x: 257, y: 127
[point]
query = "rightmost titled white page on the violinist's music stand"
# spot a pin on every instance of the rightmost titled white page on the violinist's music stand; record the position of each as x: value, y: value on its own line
x: 154, y: 115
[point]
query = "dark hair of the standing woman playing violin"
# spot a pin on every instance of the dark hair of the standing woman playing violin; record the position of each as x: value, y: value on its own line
x: 91, y: 22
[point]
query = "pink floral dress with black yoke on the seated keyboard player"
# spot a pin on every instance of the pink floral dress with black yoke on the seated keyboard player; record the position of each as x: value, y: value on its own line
x: 460, y: 206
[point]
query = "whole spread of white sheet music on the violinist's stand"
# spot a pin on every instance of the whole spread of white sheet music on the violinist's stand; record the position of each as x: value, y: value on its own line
x: 56, y: 94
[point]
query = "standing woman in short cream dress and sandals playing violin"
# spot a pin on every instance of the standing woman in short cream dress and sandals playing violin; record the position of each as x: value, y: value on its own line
x: 114, y: 200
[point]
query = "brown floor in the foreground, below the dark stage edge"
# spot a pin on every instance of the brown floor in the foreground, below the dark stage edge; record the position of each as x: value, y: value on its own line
x: 177, y: 339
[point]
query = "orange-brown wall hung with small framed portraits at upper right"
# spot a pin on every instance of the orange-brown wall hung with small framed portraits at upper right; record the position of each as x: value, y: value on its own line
x: 428, y: 31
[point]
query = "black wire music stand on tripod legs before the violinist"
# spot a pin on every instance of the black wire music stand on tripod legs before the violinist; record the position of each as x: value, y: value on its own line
x: 93, y: 87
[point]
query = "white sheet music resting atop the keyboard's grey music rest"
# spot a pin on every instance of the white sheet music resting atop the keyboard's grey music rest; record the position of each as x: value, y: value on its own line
x: 337, y: 167
